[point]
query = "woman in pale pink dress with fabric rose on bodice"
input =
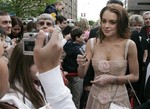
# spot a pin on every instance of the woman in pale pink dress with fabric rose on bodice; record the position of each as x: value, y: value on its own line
x: 110, y: 53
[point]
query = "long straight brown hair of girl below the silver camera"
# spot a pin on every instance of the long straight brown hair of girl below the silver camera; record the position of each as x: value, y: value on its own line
x: 19, y: 66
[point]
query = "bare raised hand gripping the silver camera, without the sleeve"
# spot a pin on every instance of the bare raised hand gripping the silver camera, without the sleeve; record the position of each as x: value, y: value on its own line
x: 47, y: 57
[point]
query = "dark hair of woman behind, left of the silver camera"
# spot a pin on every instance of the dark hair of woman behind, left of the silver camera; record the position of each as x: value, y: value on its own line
x: 17, y: 21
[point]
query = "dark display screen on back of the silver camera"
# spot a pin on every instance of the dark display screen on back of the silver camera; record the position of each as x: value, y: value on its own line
x: 29, y: 45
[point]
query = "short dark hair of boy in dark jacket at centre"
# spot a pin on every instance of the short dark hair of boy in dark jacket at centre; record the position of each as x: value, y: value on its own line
x: 76, y: 32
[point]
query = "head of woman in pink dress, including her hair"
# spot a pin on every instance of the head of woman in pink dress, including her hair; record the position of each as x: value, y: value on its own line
x: 114, y: 22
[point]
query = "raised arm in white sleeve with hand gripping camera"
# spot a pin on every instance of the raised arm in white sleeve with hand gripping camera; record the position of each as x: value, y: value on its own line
x: 47, y: 59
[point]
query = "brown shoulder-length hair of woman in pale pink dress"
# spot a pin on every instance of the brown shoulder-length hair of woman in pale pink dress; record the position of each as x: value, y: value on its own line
x: 122, y: 21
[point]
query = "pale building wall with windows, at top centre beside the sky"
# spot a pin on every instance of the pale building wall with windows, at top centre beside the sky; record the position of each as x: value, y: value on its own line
x: 70, y: 11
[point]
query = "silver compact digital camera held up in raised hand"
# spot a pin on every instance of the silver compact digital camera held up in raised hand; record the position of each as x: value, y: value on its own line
x: 29, y: 42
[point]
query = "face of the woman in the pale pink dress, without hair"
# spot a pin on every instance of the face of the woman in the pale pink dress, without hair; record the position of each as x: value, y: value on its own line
x: 109, y: 24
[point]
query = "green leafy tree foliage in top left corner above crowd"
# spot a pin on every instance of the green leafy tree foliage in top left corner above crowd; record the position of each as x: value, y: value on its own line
x: 25, y: 8
